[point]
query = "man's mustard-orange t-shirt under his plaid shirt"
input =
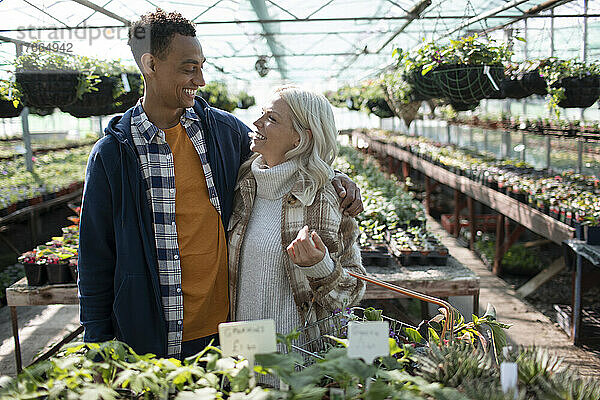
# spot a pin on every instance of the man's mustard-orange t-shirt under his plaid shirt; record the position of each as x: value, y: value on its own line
x: 201, y: 239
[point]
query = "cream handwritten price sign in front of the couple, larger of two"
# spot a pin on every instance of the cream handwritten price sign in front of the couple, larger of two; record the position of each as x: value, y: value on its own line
x: 247, y: 338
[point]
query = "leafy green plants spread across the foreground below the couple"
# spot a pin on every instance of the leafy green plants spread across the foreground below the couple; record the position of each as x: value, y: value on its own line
x: 421, y: 365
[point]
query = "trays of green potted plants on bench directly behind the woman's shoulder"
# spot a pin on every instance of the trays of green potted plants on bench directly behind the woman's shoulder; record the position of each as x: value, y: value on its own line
x: 391, y: 216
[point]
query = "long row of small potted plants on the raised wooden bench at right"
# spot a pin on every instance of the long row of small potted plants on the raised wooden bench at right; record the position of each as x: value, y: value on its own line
x: 569, y: 197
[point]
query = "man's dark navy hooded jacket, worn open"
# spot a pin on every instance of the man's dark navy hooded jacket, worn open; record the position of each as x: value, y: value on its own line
x: 119, y: 291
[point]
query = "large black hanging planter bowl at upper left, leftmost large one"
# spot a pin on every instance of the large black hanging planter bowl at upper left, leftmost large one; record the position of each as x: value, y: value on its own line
x: 48, y: 88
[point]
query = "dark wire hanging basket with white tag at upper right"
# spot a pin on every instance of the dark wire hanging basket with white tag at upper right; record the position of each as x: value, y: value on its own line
x: 468, y: 83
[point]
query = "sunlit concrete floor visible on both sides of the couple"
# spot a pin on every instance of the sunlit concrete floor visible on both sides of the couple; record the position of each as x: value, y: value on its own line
x: 41, y: 327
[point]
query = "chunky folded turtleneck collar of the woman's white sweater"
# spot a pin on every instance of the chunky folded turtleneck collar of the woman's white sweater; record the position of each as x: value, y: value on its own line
x: 275, y: 182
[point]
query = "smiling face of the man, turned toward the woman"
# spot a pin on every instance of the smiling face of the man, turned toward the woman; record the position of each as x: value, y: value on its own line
x: 179, y: 75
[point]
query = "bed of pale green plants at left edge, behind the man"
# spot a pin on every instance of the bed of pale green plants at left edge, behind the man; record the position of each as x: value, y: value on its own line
x: 55, y: 174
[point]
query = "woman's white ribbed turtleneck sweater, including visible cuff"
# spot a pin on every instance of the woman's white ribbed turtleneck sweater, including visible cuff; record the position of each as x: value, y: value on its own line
x: 263, y: 288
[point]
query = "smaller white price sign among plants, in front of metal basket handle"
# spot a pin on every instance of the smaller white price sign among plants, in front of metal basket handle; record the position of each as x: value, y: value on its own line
x: 368, y: 340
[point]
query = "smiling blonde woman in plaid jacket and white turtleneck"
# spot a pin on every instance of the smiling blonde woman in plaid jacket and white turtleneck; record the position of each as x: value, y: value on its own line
x: 290, y: 247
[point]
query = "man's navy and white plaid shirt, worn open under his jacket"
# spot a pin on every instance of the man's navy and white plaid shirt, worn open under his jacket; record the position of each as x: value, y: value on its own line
x: 158, y: 170
